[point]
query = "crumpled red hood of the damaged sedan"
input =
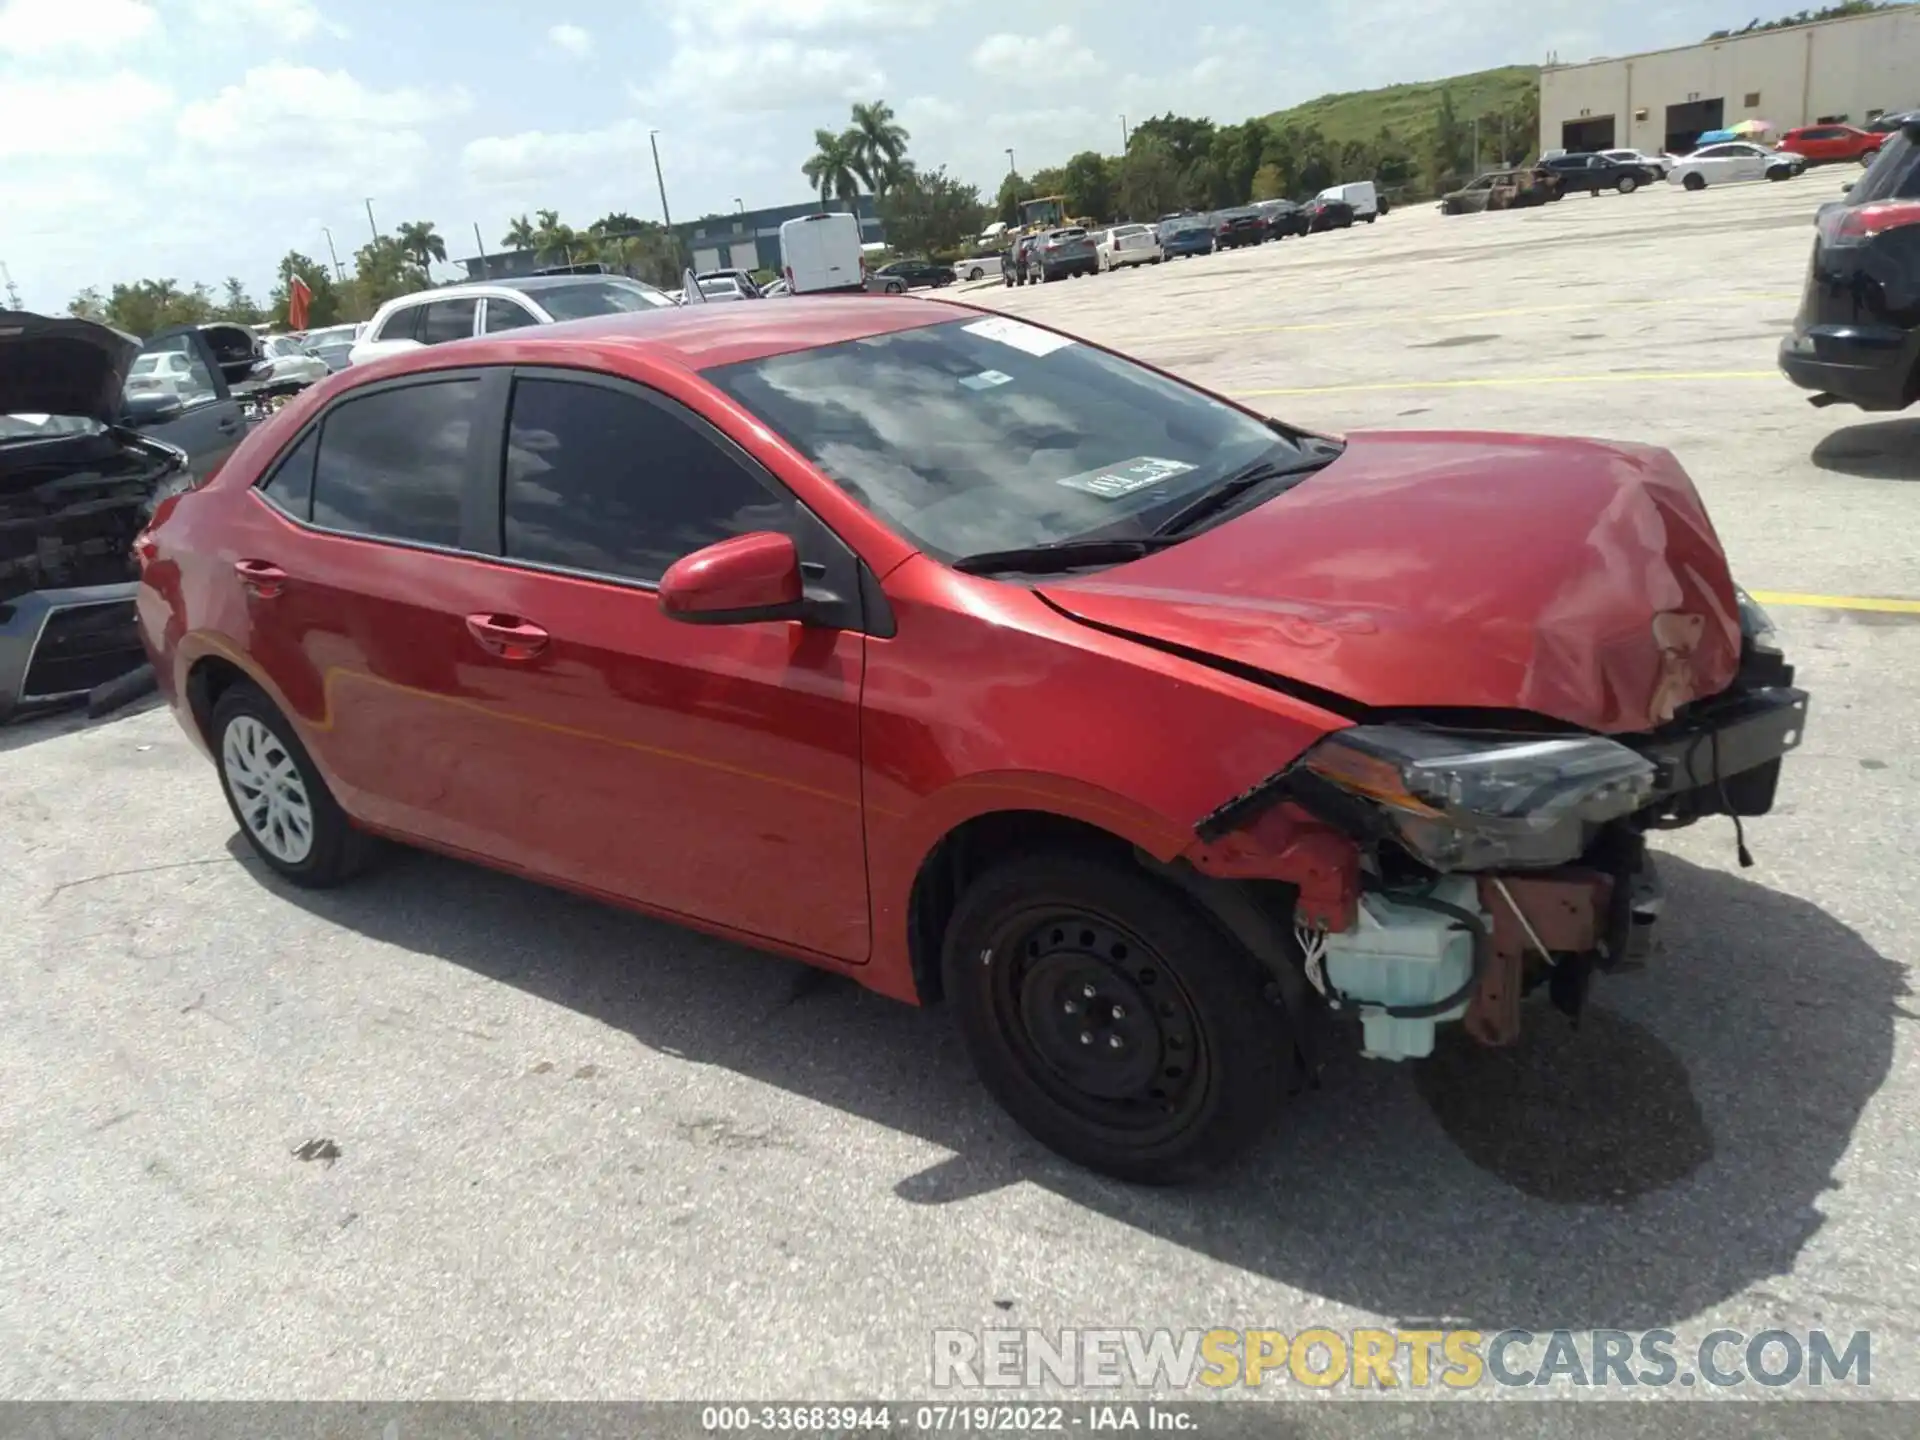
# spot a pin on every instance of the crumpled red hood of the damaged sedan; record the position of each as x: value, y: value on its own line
x: 1572, y: 579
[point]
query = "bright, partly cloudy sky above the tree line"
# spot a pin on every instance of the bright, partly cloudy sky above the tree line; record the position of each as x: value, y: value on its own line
x: 201, y: 139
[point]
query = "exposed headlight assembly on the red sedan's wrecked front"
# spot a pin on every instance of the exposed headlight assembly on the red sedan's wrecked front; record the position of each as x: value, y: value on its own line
x: 1479, y: 802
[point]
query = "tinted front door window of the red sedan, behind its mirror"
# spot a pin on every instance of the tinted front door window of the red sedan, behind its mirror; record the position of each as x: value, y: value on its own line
x: 608, y: 483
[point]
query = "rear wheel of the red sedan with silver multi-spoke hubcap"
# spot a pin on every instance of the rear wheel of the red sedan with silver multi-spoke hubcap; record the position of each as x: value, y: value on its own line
x: 272, y: 784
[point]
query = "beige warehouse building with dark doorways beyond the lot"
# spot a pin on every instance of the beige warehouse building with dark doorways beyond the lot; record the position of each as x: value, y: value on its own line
x: 1825, y: 74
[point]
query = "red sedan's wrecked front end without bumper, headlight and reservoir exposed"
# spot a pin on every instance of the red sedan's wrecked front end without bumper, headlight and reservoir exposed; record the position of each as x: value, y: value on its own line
x: 1441, y: 873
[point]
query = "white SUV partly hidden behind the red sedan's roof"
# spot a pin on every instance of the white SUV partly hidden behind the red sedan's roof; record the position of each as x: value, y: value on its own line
x: 458, y: 312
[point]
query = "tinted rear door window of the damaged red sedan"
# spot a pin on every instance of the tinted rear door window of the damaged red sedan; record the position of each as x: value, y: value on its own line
x: 395, y: 464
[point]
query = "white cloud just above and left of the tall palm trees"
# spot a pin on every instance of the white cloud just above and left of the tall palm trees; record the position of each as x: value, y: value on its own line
x: 761, y: 78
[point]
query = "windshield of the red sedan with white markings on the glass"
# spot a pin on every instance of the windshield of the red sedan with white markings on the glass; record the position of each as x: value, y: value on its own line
x: 992, y: 435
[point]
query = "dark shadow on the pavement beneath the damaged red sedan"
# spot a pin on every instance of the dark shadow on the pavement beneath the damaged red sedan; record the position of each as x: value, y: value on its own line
x: 1631, y: 1172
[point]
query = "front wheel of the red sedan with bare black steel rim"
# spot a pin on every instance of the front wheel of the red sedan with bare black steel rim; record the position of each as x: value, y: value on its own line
x: 1193, y: 1063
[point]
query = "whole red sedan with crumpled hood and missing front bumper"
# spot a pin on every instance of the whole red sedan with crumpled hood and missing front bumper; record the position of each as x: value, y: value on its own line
x: 1164, y: 742
